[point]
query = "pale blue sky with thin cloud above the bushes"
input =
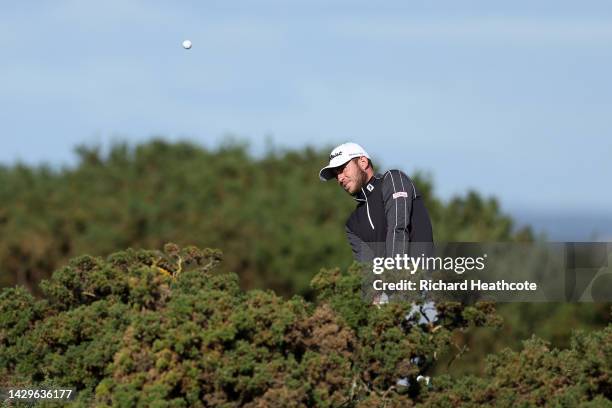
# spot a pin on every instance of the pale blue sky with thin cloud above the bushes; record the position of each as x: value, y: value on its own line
x: 513, y: 100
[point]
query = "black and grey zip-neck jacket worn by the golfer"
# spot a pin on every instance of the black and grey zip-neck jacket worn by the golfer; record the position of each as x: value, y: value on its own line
x: 390, y: 215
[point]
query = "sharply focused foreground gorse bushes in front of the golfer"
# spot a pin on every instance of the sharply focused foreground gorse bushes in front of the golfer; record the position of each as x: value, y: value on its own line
x: 152, y: 329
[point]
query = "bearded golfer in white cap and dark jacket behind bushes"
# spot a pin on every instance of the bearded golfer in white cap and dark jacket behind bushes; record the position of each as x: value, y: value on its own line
x: 390, y: 213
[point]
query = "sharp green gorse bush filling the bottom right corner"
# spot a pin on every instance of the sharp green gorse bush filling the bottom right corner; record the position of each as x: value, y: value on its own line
x: 538, y: 375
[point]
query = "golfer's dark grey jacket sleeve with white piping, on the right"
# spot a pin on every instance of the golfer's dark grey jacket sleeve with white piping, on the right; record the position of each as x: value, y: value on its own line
x: 398, y: 194
